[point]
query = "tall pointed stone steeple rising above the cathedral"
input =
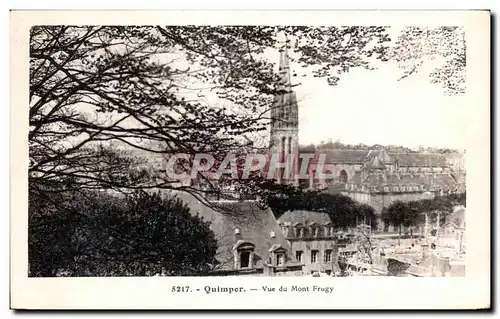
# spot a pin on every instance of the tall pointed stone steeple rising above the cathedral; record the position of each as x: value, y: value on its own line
x: 284, y: 139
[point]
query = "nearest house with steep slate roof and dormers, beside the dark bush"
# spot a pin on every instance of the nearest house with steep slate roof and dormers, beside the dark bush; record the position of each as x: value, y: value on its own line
x: 250, y: 241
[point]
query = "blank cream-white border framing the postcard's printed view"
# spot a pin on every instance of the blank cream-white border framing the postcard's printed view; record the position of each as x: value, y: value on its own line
x: 353, y: 293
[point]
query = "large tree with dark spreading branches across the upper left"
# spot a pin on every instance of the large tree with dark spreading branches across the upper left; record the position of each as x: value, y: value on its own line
x: 97, y: 92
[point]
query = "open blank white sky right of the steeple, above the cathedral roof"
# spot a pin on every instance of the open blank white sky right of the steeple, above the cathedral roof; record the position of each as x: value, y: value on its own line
x: 373, y: 107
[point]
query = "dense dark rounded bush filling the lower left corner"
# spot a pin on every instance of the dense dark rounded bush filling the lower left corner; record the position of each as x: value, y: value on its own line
x: 104, y: 235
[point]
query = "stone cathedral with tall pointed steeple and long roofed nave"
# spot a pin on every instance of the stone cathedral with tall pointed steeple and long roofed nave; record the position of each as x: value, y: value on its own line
x: 375, y: 177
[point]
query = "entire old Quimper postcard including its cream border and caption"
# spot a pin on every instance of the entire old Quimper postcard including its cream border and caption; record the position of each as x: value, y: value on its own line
x: 250, y: 160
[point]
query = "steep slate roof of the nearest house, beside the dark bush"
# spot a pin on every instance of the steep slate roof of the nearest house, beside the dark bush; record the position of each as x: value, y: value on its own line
x: 255, y: 225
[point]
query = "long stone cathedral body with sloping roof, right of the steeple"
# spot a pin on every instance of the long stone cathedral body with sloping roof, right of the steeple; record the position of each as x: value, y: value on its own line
x: 378, y: 178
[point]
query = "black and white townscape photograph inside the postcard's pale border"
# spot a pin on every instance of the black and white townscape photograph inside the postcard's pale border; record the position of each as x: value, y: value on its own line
x: 249, y: 150
